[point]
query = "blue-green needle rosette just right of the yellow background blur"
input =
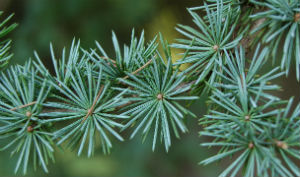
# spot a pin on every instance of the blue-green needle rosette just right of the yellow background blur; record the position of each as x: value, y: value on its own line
x: 207, y: 45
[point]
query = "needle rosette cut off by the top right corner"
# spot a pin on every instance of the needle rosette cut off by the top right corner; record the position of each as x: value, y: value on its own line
x: 281, y: 22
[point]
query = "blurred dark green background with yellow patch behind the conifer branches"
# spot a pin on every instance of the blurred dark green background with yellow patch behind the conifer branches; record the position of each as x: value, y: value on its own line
x: 59, y: 21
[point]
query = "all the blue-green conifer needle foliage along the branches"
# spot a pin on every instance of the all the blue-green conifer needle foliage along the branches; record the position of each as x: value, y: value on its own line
x: 93, y: 98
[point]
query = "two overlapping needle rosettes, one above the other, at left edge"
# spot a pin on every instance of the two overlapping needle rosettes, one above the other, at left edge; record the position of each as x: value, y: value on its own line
x: 21, y: 121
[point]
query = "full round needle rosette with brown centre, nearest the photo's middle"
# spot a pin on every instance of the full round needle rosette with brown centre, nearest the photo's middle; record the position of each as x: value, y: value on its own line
x: 155, y: 105
